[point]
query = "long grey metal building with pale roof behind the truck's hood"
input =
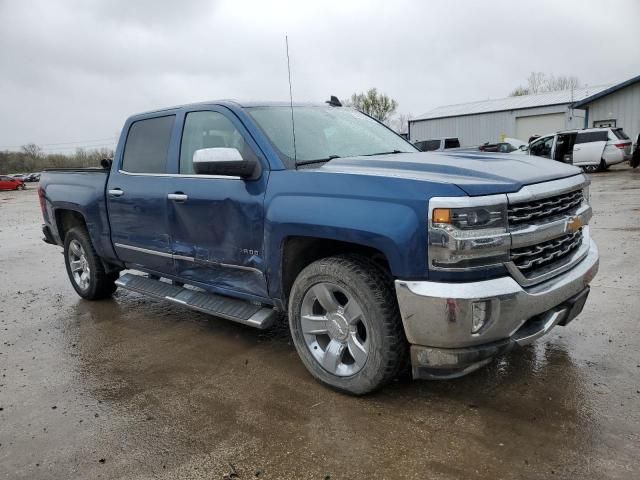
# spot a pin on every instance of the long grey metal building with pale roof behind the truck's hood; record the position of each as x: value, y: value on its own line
x: 518, y: 117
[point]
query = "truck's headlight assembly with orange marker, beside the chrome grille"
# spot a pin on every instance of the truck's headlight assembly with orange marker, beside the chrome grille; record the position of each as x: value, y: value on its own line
x: 468, y: 236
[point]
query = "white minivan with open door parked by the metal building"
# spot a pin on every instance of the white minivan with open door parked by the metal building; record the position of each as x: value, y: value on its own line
x: 592, y: 149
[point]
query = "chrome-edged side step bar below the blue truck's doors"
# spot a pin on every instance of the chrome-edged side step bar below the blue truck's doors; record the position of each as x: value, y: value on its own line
x: 240, y: 311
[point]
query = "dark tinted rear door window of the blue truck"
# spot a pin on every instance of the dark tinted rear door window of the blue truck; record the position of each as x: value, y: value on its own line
x: 147, y: 145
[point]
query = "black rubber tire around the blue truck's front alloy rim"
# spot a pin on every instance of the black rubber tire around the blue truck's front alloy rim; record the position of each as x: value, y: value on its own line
x: 373, y: 290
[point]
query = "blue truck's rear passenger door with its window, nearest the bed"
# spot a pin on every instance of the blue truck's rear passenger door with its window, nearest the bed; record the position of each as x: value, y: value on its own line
x: 137, y: 197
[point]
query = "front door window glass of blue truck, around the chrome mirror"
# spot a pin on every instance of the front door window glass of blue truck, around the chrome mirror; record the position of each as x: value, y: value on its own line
x: 209, y: 130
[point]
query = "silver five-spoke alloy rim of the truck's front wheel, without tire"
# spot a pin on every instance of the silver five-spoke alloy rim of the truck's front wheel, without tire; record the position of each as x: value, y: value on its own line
x: 334, y: 329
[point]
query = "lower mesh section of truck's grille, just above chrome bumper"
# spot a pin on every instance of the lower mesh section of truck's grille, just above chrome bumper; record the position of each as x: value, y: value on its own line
x: 551, y: 253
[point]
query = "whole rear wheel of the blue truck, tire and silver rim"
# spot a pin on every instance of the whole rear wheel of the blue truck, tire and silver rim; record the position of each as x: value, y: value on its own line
x: 85, y: 270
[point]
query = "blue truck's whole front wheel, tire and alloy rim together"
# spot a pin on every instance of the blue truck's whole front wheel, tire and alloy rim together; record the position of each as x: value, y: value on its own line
x: 346, y: 325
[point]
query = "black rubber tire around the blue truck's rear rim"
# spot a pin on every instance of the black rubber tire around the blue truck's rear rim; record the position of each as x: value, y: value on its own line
x: 100, y: 284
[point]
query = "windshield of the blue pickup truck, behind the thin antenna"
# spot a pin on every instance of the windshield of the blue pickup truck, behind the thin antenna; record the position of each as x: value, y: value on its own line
x: 324, y: 133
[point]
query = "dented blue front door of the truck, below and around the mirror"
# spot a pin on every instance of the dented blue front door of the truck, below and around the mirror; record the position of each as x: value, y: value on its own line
x: 217, y: 222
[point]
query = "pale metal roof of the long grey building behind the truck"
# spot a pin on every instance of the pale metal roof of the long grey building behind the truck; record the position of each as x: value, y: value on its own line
x: 513, y: 103
